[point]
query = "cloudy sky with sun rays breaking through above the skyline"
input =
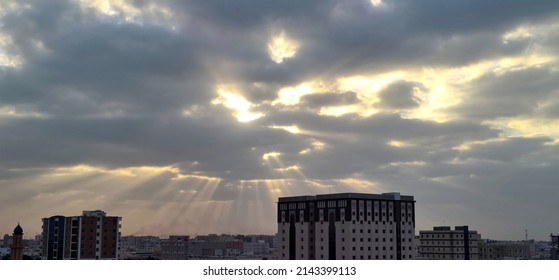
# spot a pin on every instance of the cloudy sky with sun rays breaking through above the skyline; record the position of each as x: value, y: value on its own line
x: 193, y: 117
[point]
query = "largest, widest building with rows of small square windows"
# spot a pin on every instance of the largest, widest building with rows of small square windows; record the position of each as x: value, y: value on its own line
x: 346, y: 226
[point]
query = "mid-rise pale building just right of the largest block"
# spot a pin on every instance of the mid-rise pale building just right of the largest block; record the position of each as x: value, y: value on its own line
x: 443, y: 243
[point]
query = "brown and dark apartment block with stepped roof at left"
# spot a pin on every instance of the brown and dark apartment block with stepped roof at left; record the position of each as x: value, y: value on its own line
x: 93, y: 235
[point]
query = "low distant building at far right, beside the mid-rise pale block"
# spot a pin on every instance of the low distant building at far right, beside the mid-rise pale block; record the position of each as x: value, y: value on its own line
x: 506, y: 250
